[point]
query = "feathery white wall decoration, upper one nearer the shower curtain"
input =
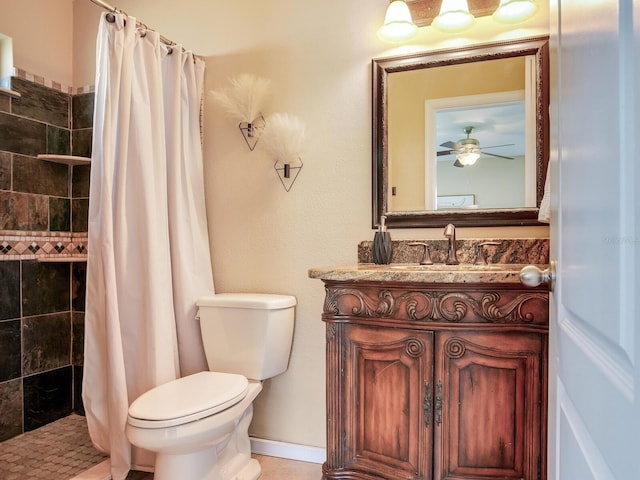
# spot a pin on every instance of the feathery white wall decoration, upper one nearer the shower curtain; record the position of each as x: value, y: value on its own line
x: 244, y: 100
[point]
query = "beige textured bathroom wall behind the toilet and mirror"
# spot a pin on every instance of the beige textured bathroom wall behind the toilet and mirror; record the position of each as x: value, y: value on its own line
x: 318, y: 56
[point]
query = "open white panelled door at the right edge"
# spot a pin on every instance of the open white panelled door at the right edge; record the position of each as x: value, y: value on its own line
x: 594, y: 404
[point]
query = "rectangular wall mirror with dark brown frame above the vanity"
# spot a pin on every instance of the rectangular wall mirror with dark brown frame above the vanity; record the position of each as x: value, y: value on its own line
x: 461, y: 136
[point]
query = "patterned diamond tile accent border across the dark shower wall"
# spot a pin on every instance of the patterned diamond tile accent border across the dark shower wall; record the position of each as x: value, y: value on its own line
x: 46, y: 246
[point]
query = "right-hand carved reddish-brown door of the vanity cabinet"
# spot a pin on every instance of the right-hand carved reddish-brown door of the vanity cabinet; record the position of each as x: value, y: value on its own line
x: 488, y: 412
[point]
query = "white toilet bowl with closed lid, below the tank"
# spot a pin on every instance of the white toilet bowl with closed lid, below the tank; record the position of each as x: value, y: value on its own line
x: 199, y: 439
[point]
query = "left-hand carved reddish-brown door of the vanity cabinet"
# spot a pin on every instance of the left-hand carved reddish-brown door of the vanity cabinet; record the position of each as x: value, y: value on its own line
x: 388, y: 392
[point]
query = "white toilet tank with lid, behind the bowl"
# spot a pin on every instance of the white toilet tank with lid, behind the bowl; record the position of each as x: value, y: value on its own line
x: 247, y: 333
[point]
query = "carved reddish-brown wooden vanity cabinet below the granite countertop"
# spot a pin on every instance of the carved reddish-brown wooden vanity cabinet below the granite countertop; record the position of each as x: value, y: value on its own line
x: 435, y: 382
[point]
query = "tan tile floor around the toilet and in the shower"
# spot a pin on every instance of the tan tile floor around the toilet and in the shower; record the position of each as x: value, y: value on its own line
x: 62, y: 450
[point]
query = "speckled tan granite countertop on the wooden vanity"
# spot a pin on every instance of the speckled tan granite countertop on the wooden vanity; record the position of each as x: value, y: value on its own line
x: 439, y: 273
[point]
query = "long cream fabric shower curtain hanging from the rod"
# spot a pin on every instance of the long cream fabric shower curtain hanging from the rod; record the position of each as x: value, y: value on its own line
x: 148, y: 258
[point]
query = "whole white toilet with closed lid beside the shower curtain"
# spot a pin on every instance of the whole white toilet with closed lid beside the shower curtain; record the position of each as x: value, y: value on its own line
x: 198, y: 425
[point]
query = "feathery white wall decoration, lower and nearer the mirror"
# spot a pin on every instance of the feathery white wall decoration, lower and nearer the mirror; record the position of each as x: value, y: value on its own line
x: 284, y: 139
